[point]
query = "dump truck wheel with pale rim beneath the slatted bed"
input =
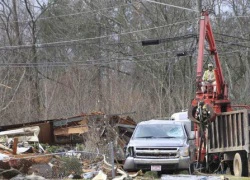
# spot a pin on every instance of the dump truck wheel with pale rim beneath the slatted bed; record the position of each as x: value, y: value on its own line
x: 240, y: 165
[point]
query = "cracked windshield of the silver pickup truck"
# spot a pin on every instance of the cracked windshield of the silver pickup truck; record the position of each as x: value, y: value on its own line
x: 159, y: 131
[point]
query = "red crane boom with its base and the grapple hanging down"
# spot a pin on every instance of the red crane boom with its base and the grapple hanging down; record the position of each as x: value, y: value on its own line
x: 206, y: 105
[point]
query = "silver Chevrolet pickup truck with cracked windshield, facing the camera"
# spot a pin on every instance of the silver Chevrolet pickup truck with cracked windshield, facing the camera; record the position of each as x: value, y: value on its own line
x: 161, y: 145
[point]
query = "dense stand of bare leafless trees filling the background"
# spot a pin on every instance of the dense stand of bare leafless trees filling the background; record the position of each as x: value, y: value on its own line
x: 83, y: 56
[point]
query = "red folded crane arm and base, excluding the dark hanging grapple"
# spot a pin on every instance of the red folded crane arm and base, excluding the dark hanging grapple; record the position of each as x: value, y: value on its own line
x: 219, y: 101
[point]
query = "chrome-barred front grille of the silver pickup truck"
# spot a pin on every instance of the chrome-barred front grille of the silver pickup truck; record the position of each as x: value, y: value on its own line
x: 157, y: 153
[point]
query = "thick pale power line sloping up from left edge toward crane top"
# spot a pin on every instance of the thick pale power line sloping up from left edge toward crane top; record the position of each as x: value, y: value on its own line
x: 42, y: 45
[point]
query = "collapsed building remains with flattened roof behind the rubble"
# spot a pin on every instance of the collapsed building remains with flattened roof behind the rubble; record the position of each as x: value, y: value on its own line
x: 77, y: 129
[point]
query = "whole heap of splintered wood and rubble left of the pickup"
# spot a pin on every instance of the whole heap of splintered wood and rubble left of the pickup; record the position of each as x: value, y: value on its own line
x: 21, y: 153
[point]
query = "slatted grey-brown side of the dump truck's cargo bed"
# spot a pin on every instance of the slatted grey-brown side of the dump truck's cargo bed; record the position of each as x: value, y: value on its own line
x: 229, y: 132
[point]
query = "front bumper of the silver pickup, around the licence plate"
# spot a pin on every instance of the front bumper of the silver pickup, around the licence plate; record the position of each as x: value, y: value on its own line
x: 135, y: 164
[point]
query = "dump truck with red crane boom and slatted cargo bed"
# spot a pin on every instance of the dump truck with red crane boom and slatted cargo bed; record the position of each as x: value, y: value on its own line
x: 222, y: 133
